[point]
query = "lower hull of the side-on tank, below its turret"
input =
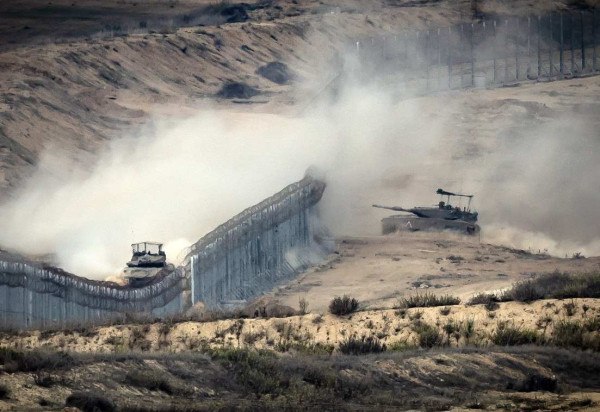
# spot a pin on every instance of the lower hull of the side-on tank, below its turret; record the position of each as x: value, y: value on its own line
x: 397, y: 223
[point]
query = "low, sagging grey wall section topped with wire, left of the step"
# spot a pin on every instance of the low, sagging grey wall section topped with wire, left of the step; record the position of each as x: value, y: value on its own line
x: 34, y: 297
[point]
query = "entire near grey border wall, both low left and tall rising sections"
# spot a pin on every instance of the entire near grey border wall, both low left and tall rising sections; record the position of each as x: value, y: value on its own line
x: 243, y: 257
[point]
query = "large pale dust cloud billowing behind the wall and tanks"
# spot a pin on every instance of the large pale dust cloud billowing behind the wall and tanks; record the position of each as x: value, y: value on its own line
x: 535, y: 177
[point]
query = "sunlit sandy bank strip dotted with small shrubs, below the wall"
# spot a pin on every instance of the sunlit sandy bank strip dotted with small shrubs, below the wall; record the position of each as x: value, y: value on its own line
x: 390, y: 326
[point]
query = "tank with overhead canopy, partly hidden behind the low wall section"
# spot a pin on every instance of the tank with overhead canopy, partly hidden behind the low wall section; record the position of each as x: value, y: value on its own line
x: 148, y: 259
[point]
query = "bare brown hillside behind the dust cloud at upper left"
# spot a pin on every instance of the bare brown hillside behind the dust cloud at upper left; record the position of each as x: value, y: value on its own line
x: 71, y: 83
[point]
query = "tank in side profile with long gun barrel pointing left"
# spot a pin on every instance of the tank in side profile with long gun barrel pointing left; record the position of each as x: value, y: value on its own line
x: 443, y: 217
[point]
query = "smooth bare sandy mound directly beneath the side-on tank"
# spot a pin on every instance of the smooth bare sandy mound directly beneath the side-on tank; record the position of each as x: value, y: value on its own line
x: 378, y: 270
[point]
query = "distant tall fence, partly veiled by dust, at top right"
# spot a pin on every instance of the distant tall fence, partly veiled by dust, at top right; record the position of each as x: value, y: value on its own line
x: 487, y: 53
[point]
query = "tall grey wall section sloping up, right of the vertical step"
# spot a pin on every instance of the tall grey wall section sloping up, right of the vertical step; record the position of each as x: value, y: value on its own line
x: 257, y: 249
